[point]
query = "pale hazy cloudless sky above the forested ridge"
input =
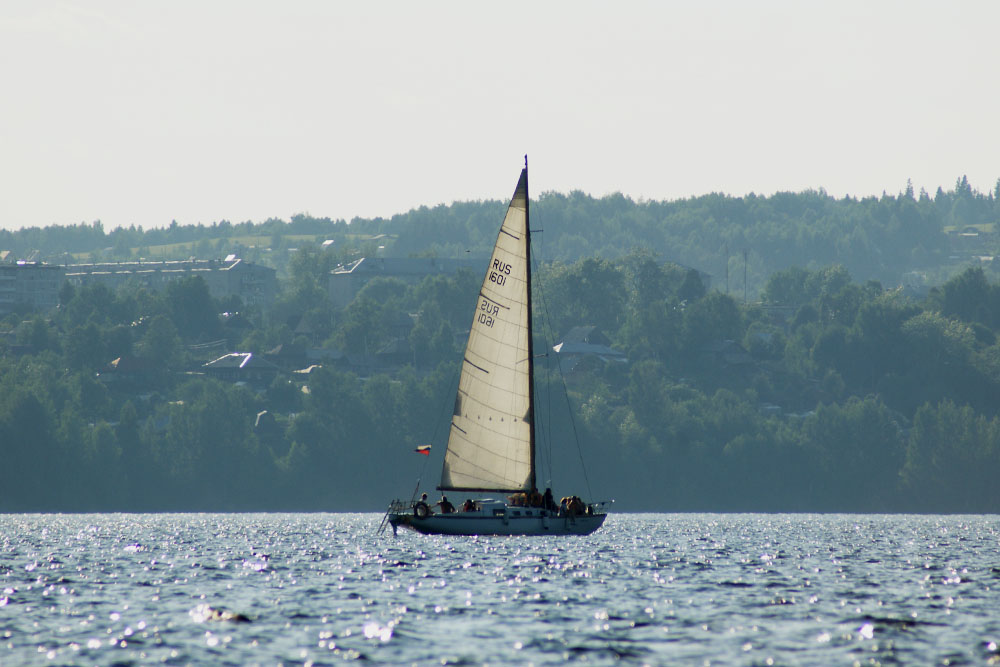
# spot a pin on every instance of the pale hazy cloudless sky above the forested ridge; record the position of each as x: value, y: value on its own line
x: 141, y: 112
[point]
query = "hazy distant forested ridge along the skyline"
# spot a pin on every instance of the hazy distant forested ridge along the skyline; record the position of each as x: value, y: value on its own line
x: 874, y: 238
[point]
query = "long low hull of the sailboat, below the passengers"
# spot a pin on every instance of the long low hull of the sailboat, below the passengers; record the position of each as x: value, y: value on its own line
x: 462, y: 524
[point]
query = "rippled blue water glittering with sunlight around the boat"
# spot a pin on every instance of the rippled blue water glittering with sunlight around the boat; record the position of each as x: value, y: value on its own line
x: 647, y: 588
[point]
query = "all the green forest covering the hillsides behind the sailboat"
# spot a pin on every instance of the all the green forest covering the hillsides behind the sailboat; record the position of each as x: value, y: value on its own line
x: 830, y: 388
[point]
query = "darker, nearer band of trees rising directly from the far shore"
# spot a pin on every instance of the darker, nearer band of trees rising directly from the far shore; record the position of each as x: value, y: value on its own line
x: 826, y: 395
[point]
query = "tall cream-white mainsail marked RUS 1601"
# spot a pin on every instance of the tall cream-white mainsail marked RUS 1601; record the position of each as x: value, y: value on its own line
x: 490, y: 447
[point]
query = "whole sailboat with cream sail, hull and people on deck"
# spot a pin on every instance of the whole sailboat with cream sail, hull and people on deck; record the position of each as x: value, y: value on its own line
x: 491, y: 443
